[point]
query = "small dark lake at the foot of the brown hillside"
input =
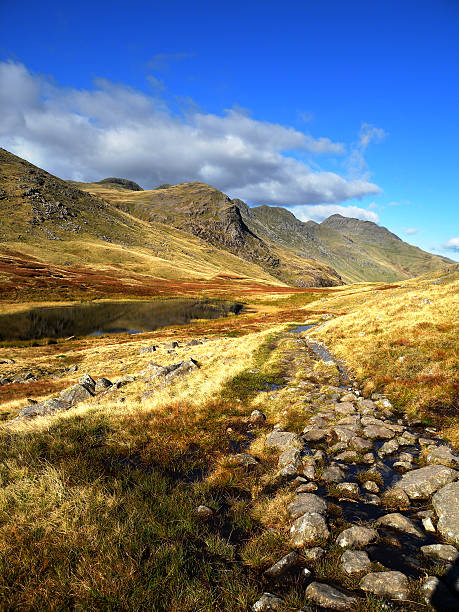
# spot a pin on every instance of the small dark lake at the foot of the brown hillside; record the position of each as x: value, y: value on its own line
x: 102, y: 318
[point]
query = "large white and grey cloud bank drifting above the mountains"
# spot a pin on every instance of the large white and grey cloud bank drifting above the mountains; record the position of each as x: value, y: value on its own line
x: 115, y: 130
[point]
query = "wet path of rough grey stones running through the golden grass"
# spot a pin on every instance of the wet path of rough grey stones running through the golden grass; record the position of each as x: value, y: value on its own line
x: 375, y: 495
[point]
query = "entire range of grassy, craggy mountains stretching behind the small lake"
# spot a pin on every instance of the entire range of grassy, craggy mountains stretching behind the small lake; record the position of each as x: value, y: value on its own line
x: 183, y: 232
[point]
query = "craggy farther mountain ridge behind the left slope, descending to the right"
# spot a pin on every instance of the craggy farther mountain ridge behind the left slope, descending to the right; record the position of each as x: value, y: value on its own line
x: 274, y: 237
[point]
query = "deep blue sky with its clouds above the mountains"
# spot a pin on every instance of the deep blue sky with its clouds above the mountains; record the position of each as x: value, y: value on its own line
x: 332, y: 107
